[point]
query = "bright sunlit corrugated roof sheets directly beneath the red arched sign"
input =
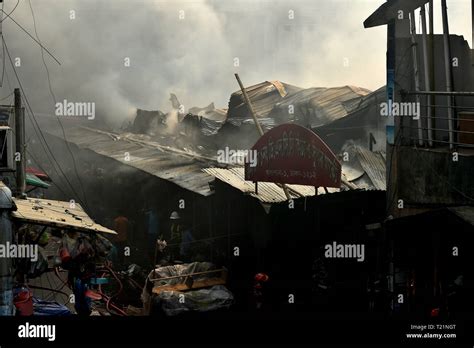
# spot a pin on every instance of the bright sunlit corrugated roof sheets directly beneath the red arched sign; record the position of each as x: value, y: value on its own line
x: 267, y: 192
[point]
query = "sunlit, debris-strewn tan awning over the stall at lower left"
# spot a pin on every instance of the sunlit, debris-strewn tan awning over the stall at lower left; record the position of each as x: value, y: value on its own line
x: 56, y: 214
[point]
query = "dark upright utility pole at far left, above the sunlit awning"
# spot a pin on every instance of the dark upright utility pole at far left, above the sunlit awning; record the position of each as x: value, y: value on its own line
x: 20, y: 145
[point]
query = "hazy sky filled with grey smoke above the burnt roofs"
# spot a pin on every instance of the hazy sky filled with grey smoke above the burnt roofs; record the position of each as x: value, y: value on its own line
x: 124, y: 55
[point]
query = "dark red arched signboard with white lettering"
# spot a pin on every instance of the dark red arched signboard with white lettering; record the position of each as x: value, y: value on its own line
x: 291, y: 154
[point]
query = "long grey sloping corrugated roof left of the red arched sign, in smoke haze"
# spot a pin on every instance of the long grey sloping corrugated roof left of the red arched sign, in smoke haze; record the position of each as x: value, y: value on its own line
x: 180, y: 167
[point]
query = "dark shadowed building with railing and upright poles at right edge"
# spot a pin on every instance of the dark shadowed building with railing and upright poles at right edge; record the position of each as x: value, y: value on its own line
x: 430, y: 158
